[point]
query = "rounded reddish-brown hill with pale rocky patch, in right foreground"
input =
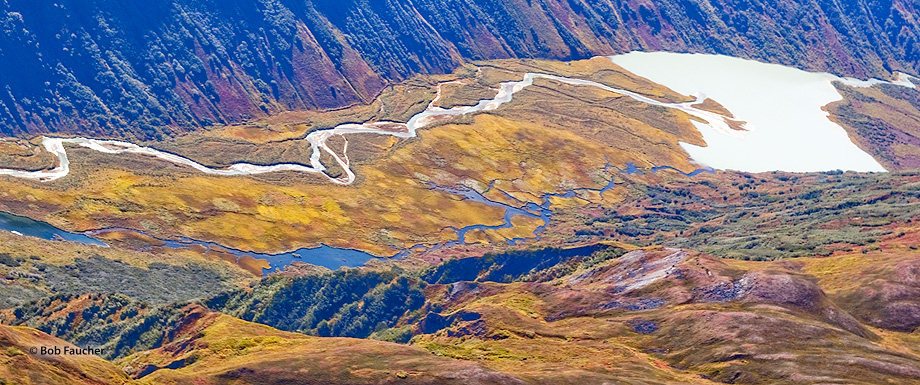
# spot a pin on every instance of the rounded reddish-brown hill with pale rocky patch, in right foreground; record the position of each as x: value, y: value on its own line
x: 750, y: 322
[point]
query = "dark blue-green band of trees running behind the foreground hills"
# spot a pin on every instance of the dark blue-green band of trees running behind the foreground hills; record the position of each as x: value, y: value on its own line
x: 344, y: 303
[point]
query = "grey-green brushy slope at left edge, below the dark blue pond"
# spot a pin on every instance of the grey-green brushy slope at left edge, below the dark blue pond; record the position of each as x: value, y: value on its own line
x: 33, y: 268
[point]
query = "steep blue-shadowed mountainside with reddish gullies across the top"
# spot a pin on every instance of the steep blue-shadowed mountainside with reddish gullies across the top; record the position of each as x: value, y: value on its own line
x: 133, y: 68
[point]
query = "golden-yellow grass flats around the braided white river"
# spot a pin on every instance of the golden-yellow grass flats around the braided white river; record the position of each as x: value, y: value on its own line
x: 529, y: 148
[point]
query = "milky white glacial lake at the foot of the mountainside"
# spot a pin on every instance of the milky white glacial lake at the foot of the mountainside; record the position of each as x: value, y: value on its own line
x: 790, y: 130
